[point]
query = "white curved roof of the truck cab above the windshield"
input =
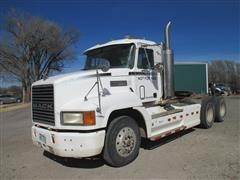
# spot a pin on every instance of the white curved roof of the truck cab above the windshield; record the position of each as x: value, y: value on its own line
x: 122, y: 41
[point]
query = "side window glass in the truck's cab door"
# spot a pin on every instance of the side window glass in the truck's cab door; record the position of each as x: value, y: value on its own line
x: 145, y: 58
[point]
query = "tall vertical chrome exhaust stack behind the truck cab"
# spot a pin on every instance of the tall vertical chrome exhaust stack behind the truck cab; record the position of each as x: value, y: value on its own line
x: 168, y: 75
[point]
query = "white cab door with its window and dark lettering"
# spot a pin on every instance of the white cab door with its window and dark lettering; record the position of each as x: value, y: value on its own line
x: 146, y: 78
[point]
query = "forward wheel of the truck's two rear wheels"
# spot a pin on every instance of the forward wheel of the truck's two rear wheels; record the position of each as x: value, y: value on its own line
x: 207, y: 115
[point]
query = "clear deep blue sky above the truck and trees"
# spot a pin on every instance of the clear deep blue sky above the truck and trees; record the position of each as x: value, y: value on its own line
x: 202, y: 30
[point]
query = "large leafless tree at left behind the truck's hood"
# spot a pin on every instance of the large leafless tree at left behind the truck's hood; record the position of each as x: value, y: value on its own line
x: 32, y: 47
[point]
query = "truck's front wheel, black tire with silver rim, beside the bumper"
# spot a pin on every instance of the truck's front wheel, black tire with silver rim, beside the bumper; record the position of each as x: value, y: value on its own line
x: 122, y: 141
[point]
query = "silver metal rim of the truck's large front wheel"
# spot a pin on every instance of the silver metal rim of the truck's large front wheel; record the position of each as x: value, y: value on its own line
x: 125, y: 141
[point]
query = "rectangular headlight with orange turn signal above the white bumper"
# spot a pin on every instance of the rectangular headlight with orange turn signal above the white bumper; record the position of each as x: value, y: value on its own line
x: 78, y: 118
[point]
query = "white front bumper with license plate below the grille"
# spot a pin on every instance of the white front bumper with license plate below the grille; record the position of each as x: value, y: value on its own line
x: 69, y: 144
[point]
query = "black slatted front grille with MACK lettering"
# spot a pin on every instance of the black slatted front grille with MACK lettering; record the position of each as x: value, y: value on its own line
x: 43, y: 104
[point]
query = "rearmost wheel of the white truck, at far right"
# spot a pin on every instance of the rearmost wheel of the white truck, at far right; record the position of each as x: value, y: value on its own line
x: 221, y: 109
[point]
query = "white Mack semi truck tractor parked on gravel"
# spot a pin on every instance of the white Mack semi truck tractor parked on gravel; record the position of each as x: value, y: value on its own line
x: 124, y: 93
